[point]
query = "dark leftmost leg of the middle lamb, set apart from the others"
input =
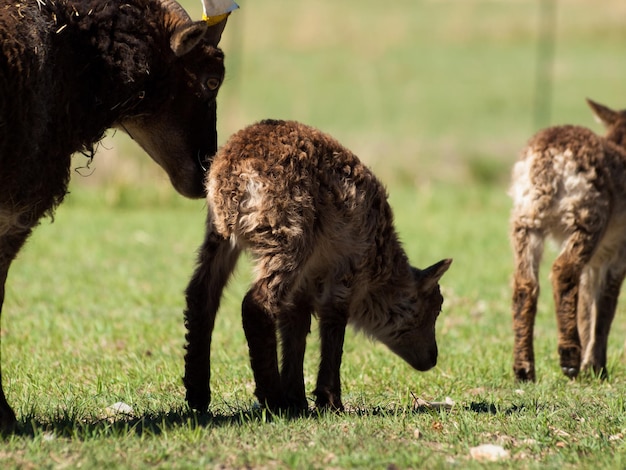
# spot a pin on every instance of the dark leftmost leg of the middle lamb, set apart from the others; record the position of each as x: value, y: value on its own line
x: 216, y: 261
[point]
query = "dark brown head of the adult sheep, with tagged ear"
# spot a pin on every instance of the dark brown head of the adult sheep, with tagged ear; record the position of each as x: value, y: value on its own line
x: 175, y: 121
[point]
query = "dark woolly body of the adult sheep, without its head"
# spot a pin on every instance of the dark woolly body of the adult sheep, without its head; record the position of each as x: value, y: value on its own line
x: 68, y: 71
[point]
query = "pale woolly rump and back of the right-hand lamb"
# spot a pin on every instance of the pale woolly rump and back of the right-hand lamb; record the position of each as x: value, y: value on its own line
x: 566, y: 176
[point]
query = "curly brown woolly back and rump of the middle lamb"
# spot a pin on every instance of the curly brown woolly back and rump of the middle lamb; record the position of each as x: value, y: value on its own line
x: 283, y: 175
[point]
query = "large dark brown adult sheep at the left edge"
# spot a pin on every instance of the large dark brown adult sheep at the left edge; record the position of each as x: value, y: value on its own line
x: 70, y: 69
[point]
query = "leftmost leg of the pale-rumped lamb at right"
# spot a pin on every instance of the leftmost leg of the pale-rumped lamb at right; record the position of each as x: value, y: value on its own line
x: 528, y: 249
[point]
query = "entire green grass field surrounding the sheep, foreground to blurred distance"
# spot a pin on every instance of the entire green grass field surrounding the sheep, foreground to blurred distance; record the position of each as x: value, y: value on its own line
x: 438, y: 97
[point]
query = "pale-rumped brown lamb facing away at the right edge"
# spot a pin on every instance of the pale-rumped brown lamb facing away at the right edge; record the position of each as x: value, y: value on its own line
x: 570, y: 185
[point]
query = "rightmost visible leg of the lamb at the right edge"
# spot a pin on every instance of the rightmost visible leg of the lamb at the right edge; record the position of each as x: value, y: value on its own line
x: 595, y: 352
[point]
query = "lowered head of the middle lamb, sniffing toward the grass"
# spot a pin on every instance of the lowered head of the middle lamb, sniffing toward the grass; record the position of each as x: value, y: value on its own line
x: 411, y: 331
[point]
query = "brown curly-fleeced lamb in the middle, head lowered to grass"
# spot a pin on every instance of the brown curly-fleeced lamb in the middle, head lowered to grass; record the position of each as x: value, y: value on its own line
x: 320, y: 230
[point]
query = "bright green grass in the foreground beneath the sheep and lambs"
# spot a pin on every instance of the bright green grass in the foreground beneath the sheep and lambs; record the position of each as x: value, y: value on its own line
x: 94, y: 316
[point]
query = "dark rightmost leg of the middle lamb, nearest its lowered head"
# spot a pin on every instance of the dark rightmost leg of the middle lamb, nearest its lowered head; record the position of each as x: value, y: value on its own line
x: 332, y: 333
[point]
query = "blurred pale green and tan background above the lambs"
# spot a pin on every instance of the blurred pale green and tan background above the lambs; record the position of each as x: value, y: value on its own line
x: 420, y: 90
